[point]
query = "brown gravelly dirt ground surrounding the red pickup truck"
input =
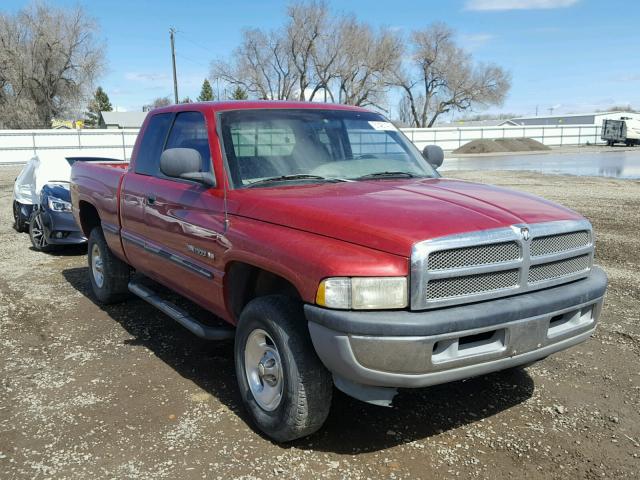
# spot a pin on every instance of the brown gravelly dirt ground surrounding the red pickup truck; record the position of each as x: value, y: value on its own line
x: 123, y: 392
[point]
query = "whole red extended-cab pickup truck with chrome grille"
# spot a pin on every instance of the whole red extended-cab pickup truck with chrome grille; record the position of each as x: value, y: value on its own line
x: 335, y: 253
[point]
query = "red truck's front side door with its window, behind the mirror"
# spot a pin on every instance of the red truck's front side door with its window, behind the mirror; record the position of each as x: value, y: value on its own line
x: 185, y: 221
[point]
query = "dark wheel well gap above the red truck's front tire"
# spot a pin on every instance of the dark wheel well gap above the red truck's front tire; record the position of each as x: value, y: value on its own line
x: 244, y: 282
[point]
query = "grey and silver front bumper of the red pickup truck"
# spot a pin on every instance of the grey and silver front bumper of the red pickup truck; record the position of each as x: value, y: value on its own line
x: 417, y: 349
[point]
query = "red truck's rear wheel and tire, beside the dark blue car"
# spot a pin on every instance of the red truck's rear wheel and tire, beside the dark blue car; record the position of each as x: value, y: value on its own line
x: 109, y: 275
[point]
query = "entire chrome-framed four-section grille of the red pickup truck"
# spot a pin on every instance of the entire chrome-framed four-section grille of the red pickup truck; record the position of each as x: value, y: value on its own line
x: 490, y: 264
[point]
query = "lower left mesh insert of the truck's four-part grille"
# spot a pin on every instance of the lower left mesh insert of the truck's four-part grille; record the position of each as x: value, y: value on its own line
x: 472, y: 284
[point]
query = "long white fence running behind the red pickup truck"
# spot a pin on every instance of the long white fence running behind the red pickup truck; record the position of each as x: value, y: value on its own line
x: 17, y: 146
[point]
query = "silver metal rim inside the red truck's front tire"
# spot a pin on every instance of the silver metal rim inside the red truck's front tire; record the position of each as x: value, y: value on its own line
x: 263, y: 369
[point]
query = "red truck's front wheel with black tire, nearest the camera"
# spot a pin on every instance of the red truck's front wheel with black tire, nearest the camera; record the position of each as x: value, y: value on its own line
x: 283, y: 384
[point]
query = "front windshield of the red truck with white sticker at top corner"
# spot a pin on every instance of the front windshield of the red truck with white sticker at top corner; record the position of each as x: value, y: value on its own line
x: 266, y: 147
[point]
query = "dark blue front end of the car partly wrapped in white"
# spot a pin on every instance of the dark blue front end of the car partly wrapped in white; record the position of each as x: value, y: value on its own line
x: 51, y: 222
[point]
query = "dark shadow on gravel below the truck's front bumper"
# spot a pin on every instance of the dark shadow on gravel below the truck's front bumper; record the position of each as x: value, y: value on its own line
x: 354, y: 427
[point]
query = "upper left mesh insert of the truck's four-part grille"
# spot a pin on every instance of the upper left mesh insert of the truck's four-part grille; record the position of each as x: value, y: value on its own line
x: 481, y: 255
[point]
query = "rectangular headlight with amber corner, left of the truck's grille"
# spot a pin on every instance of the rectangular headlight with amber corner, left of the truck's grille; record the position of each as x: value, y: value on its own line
x: 363, y: 293
